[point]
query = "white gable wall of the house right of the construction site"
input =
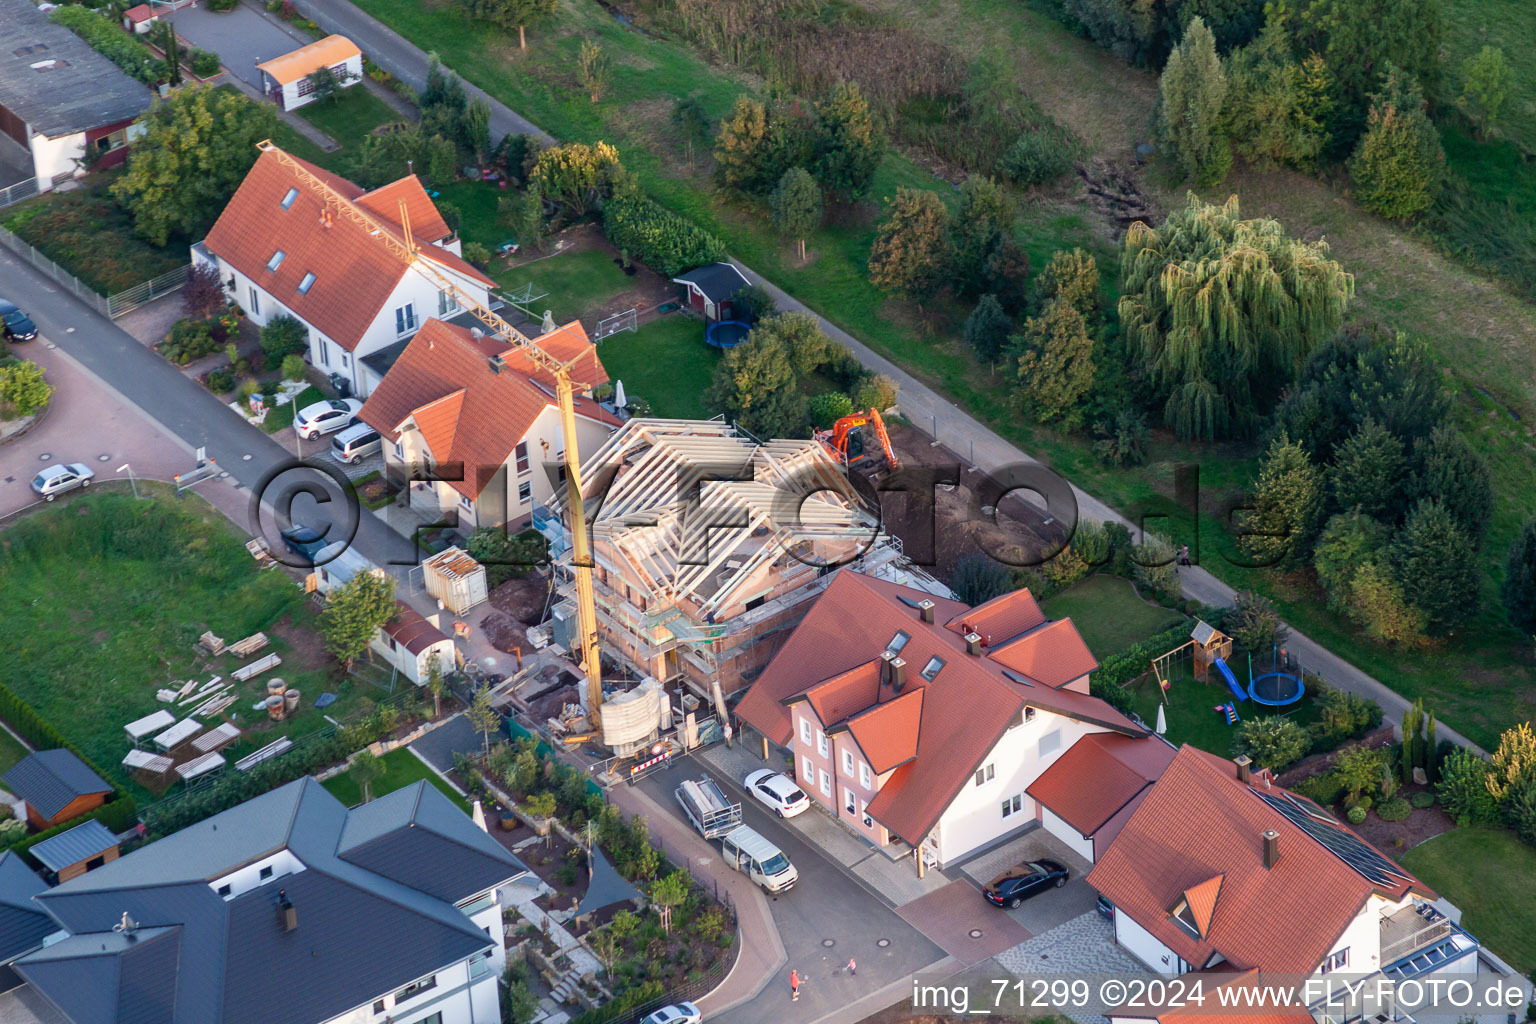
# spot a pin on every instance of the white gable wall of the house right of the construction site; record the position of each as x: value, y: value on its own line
x: 976, y: 818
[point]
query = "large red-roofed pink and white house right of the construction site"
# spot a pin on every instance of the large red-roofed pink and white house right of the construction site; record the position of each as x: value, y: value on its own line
x: 924, y: 721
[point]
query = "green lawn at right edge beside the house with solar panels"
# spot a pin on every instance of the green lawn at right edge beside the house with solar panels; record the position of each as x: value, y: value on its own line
x: 1491, y: 876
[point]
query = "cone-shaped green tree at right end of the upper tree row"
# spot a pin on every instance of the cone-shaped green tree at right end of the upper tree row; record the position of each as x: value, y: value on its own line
x: 1399, y: 165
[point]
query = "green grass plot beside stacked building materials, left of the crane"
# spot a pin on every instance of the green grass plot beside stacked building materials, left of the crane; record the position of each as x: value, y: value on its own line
x: 102, y: 601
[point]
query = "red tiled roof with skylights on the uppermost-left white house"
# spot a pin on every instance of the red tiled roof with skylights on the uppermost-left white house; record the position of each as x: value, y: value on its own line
x: 356, y: 274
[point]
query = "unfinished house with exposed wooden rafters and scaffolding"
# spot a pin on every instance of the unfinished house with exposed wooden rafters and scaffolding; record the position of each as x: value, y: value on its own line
x: 710, y: 546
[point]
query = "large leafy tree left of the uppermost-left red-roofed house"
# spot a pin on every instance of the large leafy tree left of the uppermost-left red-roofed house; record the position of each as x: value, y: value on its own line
x: 196, y: 150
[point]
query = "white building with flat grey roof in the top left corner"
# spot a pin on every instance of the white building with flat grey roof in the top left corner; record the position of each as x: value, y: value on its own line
x: 64, y: 107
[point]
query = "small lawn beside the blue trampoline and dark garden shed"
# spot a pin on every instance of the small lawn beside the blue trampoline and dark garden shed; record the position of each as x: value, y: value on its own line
x: 666, y: 362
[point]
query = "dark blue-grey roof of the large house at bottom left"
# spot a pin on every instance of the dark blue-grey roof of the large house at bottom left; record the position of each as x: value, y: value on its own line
x: 360, y: 933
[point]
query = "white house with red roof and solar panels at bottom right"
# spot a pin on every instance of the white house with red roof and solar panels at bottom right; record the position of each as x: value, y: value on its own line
x: 1222, y: 870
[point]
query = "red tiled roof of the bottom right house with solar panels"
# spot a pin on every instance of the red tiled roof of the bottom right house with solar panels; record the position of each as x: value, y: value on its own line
x: 1199, y: 821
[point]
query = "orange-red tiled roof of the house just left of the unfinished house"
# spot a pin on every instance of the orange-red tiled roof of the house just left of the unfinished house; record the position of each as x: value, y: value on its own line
x: 471, y: 415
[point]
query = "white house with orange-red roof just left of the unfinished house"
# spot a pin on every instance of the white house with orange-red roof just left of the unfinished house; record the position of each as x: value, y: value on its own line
x: 471, y: 426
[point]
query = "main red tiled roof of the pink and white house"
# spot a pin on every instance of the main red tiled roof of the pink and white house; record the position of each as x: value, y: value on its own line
x: 968, y: 709
